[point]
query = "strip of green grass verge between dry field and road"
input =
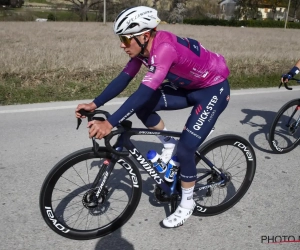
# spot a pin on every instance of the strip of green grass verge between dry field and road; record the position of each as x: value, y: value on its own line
x: 67, y: 86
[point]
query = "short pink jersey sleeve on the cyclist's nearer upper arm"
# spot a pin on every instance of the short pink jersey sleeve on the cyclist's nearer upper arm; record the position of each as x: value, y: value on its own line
x: 159, y: 65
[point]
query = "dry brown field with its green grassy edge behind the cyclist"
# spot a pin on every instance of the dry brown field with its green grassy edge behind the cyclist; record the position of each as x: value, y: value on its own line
x: 60, y: 61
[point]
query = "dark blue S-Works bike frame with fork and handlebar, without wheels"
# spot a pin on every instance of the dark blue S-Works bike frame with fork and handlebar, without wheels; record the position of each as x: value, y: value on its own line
x: 124, y: 133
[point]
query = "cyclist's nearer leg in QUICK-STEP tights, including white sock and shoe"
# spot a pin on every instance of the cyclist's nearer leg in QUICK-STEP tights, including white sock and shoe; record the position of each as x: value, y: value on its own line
x: 208, y: 103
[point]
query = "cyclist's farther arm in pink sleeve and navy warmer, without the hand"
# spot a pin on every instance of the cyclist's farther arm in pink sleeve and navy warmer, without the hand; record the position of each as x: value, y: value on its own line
x: 119, y: 83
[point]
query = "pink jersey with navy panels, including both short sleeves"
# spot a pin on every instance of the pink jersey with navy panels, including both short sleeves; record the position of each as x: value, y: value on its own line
x: 182, y: 61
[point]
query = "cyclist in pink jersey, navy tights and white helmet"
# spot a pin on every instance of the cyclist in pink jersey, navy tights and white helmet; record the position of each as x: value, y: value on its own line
x: 196, y: 77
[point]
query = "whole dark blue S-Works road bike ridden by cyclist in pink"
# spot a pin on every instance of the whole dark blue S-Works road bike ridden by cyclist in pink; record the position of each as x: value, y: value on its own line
x: 94, y: 191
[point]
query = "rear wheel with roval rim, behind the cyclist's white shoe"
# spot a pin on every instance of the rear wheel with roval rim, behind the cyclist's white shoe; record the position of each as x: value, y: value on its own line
x: 233, y: 156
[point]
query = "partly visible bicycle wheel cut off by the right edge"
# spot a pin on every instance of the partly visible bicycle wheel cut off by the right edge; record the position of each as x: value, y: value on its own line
x: 284, y: 132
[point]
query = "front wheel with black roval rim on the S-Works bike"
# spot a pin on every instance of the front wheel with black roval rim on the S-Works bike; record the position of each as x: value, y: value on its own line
x: 67, y: 199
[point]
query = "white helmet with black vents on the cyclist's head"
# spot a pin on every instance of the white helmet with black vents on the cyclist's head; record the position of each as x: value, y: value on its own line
x: 136, y: 19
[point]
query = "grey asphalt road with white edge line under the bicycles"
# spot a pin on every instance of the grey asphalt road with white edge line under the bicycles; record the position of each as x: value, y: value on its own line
x: 35, y: 137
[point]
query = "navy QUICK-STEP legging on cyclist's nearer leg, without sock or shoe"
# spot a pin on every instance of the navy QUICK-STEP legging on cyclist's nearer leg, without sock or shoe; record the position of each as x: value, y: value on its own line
x: 209, y: 103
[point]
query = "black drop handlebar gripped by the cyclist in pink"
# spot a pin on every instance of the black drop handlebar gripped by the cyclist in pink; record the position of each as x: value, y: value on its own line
x: 123, y: 126
